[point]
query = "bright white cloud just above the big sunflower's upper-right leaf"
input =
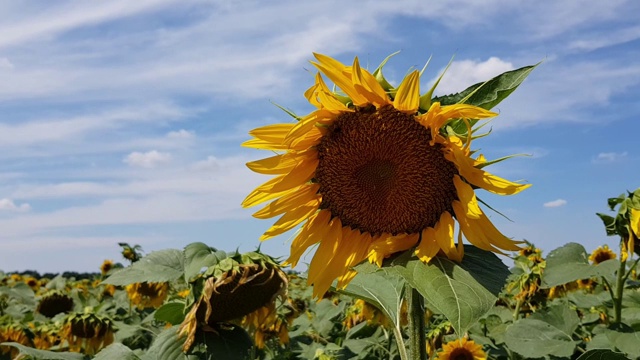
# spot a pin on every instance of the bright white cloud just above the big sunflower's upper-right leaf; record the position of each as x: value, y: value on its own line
x: 462, y: 74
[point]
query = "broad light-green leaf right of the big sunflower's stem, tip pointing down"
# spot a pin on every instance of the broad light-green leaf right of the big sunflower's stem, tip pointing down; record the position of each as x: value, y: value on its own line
x: 448, y: 288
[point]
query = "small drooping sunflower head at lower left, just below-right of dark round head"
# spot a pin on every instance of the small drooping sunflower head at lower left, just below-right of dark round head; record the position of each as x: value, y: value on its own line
x: 87, y: 332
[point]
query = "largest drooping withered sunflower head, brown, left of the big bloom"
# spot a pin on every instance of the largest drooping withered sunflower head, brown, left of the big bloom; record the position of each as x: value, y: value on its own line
x: 239, y: 288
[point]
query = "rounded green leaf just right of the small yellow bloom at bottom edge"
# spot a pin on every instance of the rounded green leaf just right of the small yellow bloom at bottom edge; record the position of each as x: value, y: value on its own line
x: 534, y: 338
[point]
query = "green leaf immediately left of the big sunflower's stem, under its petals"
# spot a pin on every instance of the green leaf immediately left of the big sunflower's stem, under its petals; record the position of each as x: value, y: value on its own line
x: 379, y: 287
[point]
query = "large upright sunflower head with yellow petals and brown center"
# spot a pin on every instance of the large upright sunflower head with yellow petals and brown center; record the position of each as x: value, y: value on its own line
x: 371, y: 173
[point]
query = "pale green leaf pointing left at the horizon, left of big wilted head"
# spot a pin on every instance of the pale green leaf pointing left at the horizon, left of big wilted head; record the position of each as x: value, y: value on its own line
x: 158, y: 266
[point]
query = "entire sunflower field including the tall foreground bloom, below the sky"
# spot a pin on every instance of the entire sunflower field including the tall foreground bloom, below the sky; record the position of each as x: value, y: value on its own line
x: 381, y: 183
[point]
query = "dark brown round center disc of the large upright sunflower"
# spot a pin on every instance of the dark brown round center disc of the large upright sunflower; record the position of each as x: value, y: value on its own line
x: 378, y: 173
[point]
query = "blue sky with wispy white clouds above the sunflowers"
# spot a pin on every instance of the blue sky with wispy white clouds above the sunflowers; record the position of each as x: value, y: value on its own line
x: 122, y: 121
